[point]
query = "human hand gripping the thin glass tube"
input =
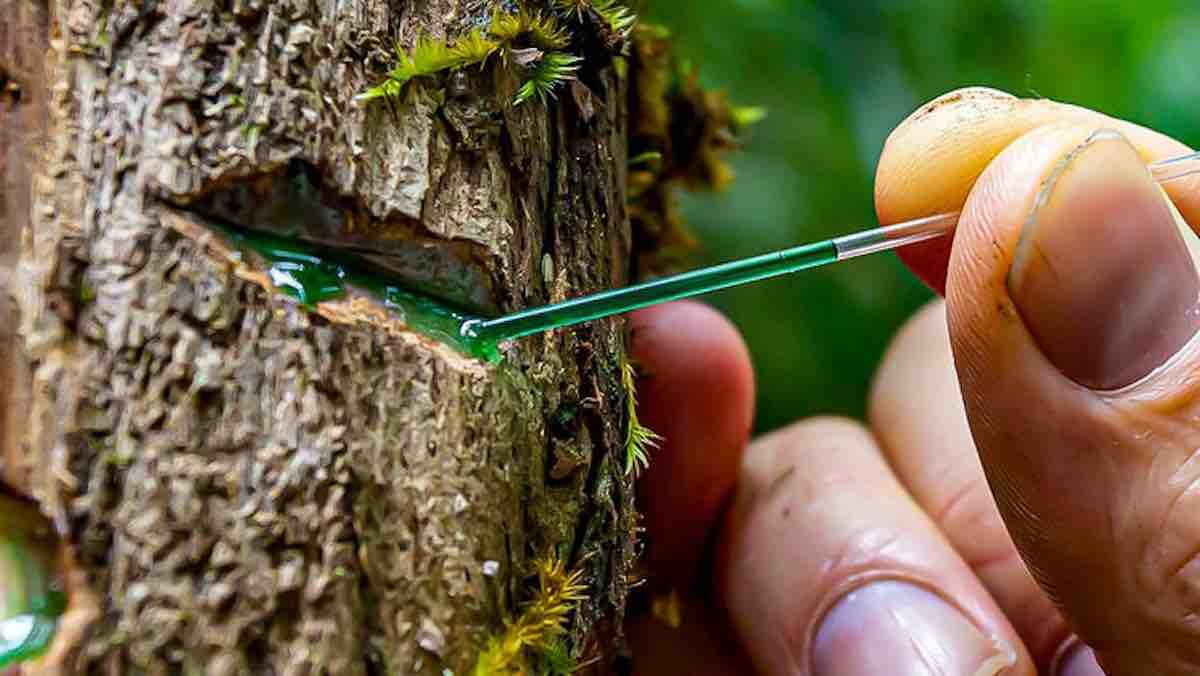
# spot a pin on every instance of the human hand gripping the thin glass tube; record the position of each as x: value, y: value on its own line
x: 1073, y: 393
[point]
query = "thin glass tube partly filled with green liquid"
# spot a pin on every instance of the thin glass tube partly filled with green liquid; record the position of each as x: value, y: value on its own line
x: 485, y: 334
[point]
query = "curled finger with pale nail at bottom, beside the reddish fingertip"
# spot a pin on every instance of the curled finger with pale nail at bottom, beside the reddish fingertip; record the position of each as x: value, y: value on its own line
x: 827, y: 566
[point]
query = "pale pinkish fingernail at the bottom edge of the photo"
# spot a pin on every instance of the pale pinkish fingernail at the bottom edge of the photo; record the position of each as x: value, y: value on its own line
x: 893, y: 627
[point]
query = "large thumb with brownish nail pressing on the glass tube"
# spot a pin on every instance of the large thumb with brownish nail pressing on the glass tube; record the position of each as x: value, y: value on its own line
x: 1072, y: 297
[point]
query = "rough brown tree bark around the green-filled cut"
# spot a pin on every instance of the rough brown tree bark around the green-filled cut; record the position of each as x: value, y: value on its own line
x: 247, y: 487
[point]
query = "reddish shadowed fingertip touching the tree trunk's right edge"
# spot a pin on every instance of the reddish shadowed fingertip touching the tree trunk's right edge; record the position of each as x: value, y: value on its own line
x: 695, y: 391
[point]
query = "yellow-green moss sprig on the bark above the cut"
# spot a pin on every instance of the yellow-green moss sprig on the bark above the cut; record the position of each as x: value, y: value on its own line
x: 530, y: 43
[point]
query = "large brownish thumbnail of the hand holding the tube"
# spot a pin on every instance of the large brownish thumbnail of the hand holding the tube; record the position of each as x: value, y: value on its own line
x: 1102, y: 276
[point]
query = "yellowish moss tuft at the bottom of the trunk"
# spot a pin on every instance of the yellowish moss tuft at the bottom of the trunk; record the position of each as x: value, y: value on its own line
x: 538, y: 630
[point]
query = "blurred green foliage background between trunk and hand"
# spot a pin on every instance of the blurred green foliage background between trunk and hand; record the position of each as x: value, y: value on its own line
x: 837, y: 77
